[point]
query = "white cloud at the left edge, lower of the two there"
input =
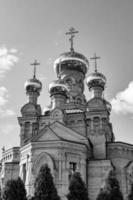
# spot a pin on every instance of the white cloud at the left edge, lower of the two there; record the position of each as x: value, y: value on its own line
x: 4, y: 98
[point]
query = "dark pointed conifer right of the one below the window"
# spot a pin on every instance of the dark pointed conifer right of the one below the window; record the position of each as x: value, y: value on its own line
x: 111, y: 191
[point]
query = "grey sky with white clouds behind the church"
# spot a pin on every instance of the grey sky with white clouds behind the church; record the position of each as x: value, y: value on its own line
x: 35, y: 29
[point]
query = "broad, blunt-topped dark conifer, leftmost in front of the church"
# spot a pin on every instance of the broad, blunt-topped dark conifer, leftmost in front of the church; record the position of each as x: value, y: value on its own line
x: 14, y: 190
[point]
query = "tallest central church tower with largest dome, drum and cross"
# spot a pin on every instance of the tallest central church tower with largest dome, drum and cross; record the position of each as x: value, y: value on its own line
x: 71, y: 68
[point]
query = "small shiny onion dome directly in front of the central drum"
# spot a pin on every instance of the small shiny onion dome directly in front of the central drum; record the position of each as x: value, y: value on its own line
x: 57, y: 87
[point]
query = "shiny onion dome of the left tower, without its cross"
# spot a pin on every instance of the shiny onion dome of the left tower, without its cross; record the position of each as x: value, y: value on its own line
x: 33, y: 85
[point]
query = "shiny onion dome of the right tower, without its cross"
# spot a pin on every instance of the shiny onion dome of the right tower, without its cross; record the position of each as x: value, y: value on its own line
x: 96, y: 79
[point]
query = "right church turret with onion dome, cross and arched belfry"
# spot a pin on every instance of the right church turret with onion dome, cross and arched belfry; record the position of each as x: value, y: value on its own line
x: 99, y: 128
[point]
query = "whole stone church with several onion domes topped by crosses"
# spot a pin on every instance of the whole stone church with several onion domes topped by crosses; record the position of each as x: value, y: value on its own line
x: 71, y: 134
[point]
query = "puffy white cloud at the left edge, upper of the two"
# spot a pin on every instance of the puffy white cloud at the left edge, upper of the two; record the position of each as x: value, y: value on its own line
x: 8, y: 59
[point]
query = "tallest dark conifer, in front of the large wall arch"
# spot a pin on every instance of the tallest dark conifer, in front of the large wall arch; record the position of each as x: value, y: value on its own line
x: 44, y: 185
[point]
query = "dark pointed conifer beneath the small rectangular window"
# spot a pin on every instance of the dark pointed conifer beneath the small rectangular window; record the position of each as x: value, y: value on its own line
x: 77, y: 188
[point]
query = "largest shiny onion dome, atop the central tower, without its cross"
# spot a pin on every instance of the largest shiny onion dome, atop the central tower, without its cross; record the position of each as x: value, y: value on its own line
x: 73, y: 61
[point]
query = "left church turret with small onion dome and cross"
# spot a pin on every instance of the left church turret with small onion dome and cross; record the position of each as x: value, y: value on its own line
x: 30, y: 111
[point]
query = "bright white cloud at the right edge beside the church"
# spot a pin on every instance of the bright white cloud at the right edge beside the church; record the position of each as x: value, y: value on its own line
x: 123, y: 102
